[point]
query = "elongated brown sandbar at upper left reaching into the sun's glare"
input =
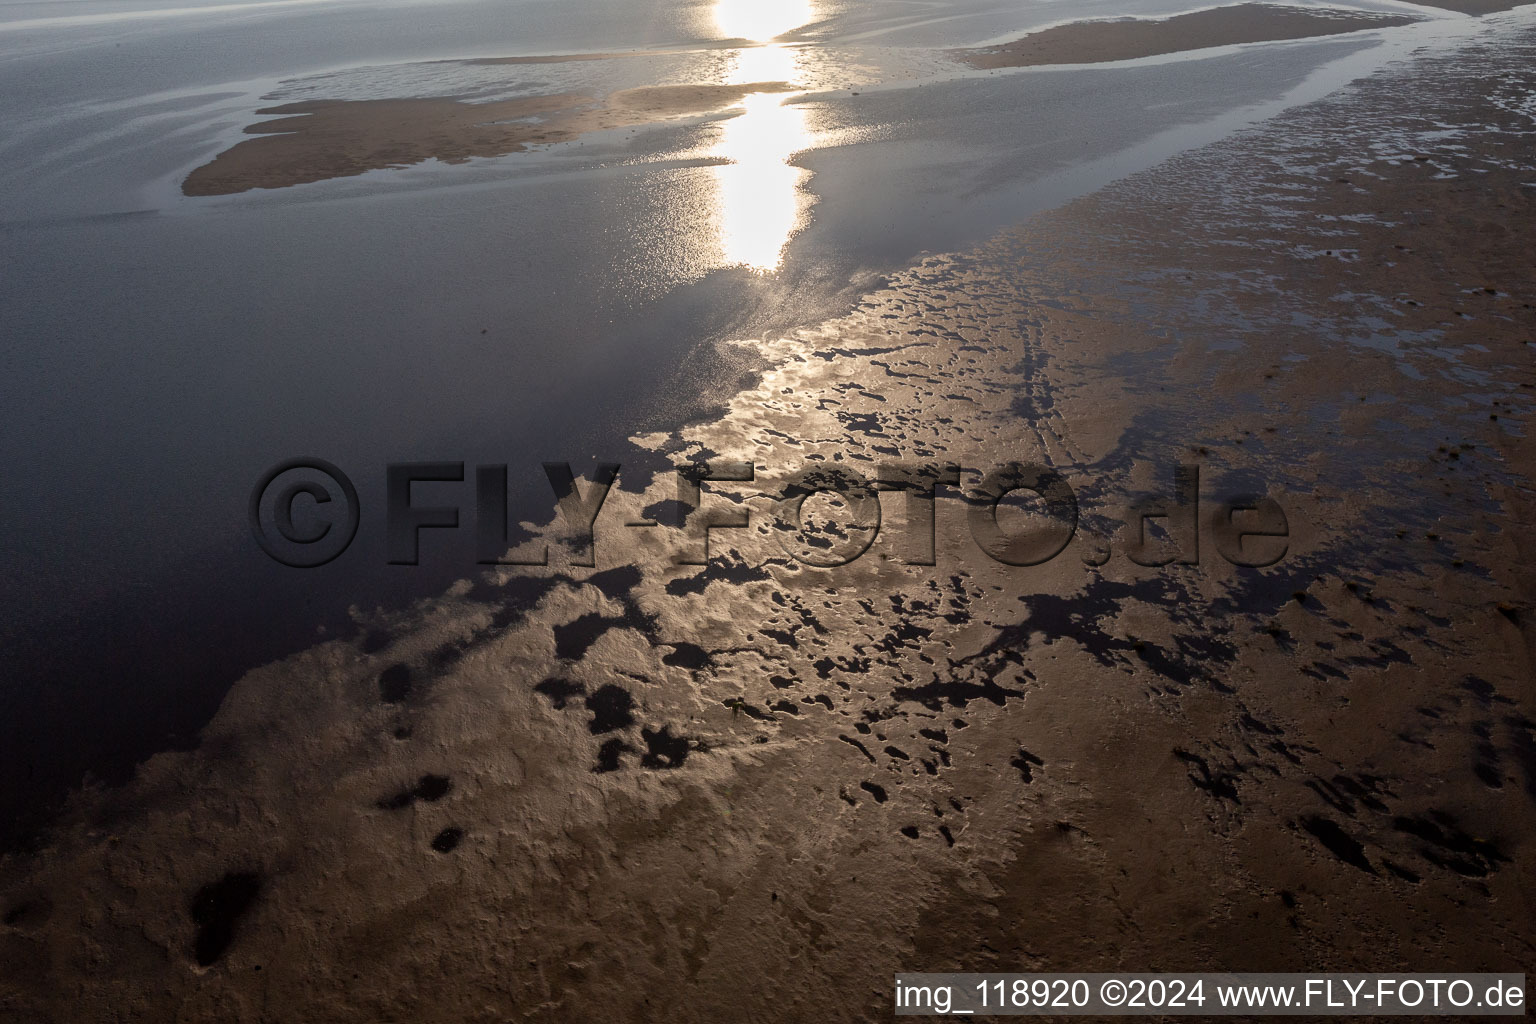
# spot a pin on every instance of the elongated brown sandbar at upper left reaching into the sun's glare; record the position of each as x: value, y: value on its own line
x: 339, y: 139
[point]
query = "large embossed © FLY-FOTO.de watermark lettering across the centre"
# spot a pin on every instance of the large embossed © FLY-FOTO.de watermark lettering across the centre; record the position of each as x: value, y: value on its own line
x: 306, y: 514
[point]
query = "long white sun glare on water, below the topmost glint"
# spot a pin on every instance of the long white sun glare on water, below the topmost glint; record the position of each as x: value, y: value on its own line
x: 761, y: 197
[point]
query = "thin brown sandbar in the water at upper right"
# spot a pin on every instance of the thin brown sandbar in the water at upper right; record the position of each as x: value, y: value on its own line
x: 1099, y: 42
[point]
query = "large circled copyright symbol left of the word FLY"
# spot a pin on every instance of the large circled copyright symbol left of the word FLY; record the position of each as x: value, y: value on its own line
x: 305, y: 514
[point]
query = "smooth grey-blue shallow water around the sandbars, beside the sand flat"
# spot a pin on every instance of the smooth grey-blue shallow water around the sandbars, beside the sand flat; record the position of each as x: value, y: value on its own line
x: 165, y: 351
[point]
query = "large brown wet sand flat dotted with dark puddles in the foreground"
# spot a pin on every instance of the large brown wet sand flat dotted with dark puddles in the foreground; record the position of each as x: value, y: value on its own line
x: 756, y: 791
